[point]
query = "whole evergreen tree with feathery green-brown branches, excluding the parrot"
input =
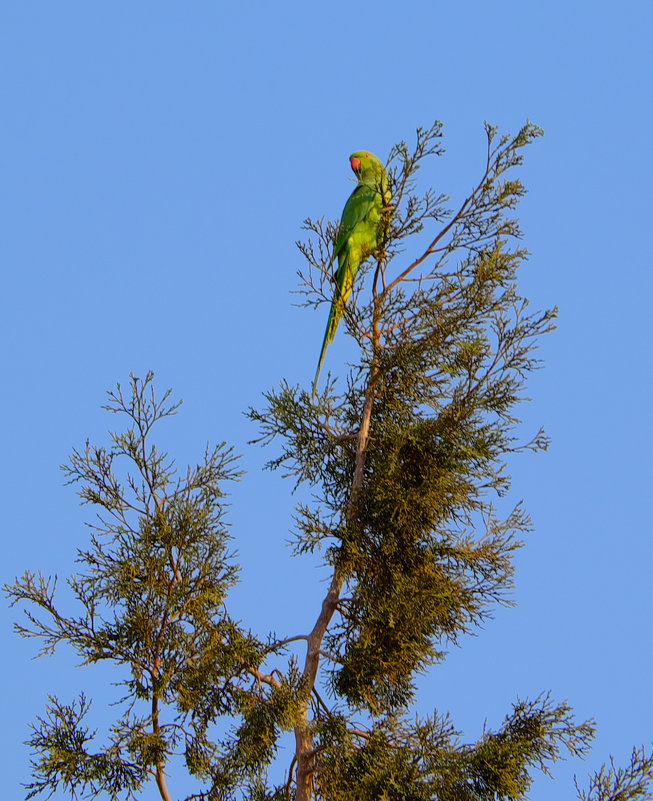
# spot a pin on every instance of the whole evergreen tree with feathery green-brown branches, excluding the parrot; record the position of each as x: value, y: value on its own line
x: 404, y: 457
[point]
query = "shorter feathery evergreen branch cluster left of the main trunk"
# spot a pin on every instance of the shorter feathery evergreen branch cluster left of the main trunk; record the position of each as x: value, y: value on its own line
x: 152, y: 588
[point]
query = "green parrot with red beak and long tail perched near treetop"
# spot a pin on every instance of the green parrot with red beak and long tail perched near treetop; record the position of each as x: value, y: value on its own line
x: 358, y: 235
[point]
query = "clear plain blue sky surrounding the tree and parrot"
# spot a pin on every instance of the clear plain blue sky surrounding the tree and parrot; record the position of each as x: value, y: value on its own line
x: 156, y: 162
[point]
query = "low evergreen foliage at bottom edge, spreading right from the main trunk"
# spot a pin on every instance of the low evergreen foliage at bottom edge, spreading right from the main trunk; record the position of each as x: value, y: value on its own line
x: 426, y: 759
